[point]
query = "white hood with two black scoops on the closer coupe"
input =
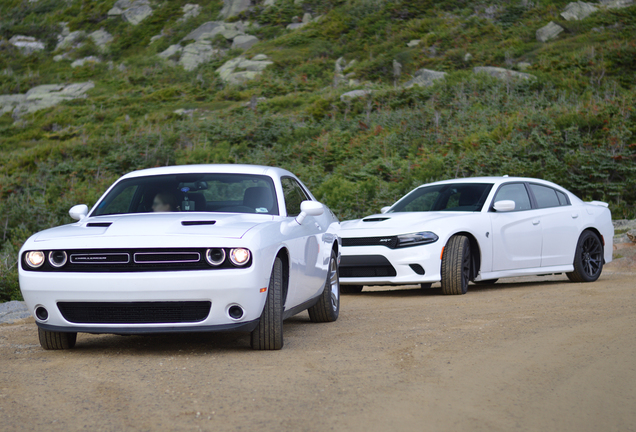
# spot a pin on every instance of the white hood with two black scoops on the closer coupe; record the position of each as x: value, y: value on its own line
x: 222, y: 225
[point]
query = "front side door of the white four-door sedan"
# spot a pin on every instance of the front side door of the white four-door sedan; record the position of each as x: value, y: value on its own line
x: 516, y: 234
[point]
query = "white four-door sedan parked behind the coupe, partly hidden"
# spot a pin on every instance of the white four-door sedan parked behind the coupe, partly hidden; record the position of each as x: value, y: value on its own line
x: 477, y: 229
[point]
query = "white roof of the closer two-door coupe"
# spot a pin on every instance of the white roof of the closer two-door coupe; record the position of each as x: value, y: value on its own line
x: 212, y: 168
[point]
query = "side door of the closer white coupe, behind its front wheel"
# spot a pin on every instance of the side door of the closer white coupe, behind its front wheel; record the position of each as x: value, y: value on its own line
x: 306, y: 276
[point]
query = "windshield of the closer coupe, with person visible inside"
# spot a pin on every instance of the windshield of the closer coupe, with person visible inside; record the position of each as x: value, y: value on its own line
x: 233, y: 193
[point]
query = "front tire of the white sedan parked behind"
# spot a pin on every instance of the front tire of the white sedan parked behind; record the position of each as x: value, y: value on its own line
x: 456, y: 266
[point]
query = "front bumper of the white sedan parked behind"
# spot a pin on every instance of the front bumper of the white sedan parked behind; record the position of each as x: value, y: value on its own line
x: 367, y: 265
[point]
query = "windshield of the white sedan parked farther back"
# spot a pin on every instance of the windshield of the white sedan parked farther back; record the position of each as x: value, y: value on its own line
x: 468, y: 197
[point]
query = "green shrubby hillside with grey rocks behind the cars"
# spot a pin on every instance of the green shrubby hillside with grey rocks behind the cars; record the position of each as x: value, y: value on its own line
x: 363, y: 99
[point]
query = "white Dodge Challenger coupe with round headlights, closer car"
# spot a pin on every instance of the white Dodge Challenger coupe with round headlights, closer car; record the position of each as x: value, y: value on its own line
x: 185, y: 249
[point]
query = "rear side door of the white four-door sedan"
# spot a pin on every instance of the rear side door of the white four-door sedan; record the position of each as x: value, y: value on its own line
x: 559, y: 225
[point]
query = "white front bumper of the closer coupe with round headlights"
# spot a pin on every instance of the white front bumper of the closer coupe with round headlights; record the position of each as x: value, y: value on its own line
x: 222, y: 288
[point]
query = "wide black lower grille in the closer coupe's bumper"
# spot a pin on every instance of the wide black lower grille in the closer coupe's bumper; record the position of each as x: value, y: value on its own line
x: 135, y: 312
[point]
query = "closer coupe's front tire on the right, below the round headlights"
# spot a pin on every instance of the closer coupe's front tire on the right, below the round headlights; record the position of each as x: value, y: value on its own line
x: 268, y: 334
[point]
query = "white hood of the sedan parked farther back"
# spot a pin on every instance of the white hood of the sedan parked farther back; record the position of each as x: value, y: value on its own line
x: 403, y: 222
